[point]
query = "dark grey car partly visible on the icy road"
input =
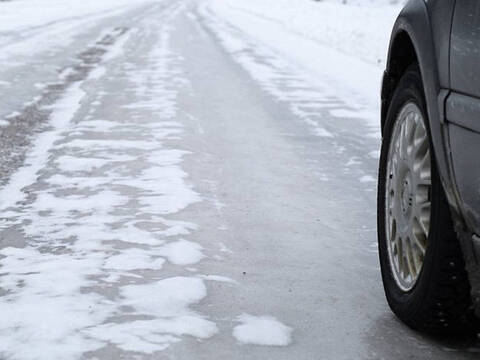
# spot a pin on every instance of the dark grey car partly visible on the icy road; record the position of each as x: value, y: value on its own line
x: 428, y: 205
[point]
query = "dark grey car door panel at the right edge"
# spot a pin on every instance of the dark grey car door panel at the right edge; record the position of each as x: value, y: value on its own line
x: 462, y: 107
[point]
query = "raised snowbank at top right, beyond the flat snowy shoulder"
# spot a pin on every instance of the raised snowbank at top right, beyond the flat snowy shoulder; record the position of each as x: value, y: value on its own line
x: 362, y: 31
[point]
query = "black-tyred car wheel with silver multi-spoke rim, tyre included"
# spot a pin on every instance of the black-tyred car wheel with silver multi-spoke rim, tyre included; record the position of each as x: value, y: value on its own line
x: 422, y: 265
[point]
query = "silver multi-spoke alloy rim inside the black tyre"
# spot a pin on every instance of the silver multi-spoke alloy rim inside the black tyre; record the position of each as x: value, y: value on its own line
x: 408, y: 189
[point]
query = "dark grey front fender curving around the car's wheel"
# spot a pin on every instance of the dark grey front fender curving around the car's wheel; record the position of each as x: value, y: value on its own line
x: 413, y: 40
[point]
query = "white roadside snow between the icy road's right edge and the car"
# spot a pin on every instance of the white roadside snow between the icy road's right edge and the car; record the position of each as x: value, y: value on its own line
x: 337, y: 46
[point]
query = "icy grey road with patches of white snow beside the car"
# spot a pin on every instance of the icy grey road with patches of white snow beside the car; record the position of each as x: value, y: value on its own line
x: 180, y: 190
